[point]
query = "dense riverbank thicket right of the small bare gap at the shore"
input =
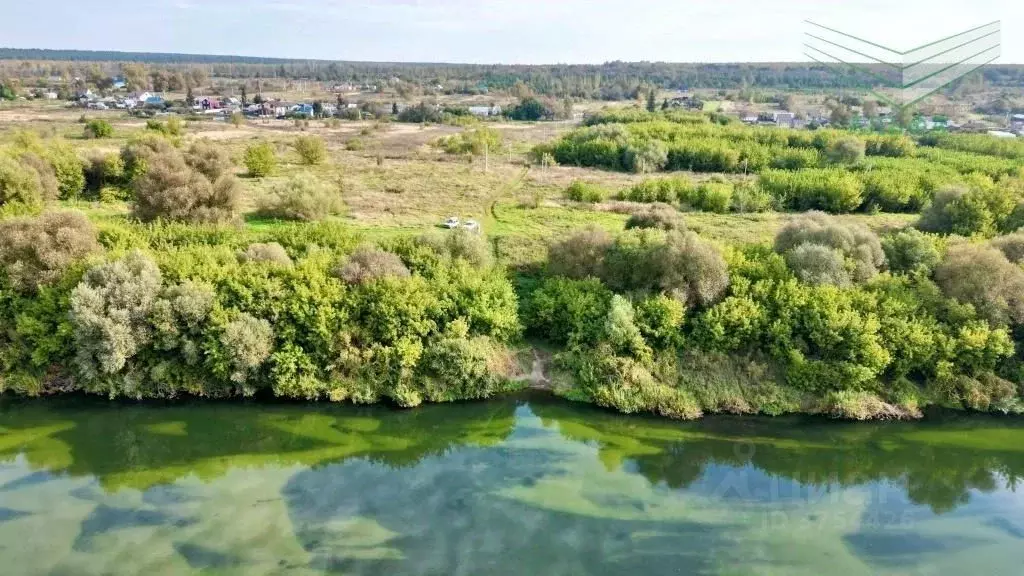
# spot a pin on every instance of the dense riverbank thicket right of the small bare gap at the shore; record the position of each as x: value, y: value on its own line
x: 831, y: 312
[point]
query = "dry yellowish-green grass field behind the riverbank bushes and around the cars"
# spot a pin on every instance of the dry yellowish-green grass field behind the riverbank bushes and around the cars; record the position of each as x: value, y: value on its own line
x: 394, y: 182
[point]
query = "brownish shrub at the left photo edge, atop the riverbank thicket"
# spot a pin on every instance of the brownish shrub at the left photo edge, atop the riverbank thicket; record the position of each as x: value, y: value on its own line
x: 38, y: 252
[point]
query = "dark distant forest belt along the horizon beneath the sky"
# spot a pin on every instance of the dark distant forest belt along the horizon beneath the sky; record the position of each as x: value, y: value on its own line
x: 609, y: 81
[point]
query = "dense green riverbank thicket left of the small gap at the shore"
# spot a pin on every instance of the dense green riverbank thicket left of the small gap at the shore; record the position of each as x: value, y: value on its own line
x: 168, y: 311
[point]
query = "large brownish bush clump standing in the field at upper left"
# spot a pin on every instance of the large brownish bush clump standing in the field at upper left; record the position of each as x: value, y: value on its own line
x: 170, y: 190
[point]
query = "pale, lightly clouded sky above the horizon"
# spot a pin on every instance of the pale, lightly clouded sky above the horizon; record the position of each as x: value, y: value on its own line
x: 495, y: 31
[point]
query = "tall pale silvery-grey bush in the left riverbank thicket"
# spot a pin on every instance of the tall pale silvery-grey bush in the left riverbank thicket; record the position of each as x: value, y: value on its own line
x: 109, y: 311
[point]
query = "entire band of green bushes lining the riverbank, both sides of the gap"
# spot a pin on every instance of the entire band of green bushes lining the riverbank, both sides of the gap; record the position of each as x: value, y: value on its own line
x: 830, y: 312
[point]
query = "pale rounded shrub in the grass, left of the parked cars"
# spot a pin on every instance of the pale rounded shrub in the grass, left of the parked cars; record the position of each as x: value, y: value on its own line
x: 303, y: 197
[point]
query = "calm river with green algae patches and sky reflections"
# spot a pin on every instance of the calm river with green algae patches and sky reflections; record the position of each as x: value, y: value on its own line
x: 526, y: 486
